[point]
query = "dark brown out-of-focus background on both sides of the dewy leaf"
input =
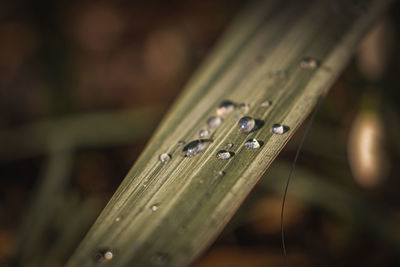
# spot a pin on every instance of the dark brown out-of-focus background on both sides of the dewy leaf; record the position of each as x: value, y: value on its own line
x: 84, y: 83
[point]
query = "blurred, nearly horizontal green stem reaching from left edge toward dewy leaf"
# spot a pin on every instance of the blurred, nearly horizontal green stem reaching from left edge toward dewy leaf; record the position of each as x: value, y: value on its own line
x: 88, y: 130
